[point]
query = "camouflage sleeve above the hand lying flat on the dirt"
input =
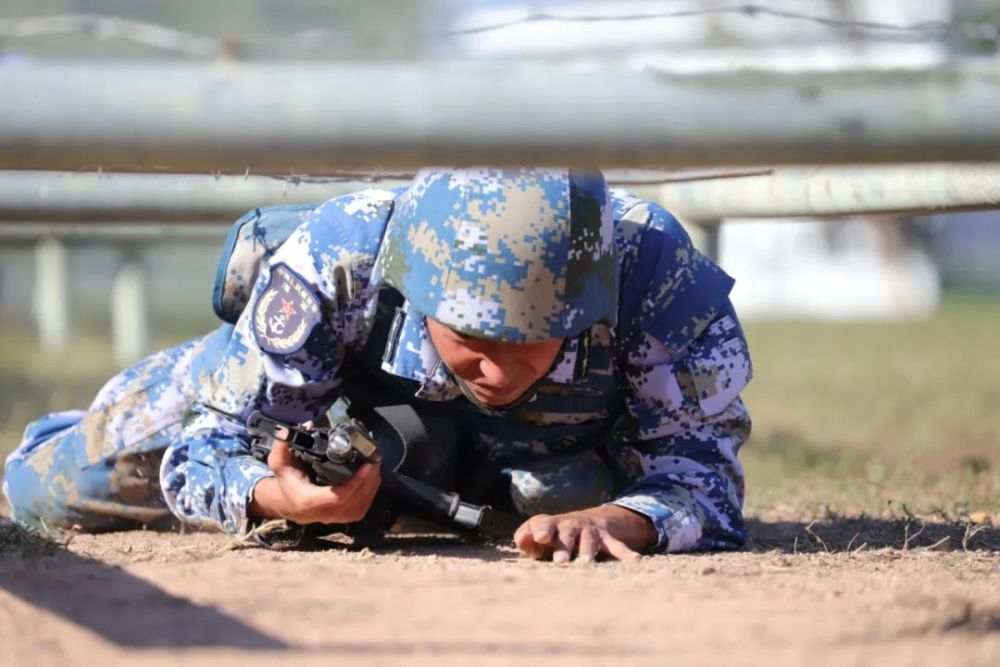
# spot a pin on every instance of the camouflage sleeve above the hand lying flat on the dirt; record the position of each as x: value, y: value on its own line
x: 688, y: 424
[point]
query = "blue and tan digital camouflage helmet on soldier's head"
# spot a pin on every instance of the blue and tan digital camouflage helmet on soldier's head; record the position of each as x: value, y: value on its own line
x: 518, y: 255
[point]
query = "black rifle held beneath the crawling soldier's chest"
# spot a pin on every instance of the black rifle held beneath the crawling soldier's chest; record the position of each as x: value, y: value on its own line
x: 335, y: 453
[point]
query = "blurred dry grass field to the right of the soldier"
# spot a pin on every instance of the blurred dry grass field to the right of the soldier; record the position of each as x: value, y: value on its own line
x: 895, y: 421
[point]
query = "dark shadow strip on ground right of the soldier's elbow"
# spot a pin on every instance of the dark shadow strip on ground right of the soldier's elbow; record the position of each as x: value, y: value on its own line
x: 835, y: 534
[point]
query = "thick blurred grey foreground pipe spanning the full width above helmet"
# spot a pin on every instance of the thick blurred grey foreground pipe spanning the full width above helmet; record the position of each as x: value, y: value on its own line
x: 313, y: 118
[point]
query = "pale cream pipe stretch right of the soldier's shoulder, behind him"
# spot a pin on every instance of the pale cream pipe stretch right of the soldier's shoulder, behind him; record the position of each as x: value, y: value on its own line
x: 832, y: 191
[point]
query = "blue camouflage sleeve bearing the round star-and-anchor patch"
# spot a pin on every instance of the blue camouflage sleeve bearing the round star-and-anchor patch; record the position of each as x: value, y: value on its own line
x: 311, y: 304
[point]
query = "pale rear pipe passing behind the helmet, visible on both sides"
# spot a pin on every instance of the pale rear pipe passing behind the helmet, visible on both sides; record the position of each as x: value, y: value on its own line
x: 791, y: 191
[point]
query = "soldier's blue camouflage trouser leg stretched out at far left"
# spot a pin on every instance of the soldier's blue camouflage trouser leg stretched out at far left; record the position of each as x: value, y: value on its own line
x: 99, y: 469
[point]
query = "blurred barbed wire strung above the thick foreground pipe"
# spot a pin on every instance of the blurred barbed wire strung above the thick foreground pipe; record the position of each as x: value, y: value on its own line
x: 198, y: 45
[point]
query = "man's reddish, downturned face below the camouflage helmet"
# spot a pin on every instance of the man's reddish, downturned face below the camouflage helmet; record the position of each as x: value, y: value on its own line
x: 497, y: 373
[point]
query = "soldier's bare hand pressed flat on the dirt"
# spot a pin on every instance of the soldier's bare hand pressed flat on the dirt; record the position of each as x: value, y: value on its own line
x: 607, y: 531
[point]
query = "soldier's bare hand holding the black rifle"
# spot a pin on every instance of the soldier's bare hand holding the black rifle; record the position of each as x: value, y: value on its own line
x: 291, y: 495
